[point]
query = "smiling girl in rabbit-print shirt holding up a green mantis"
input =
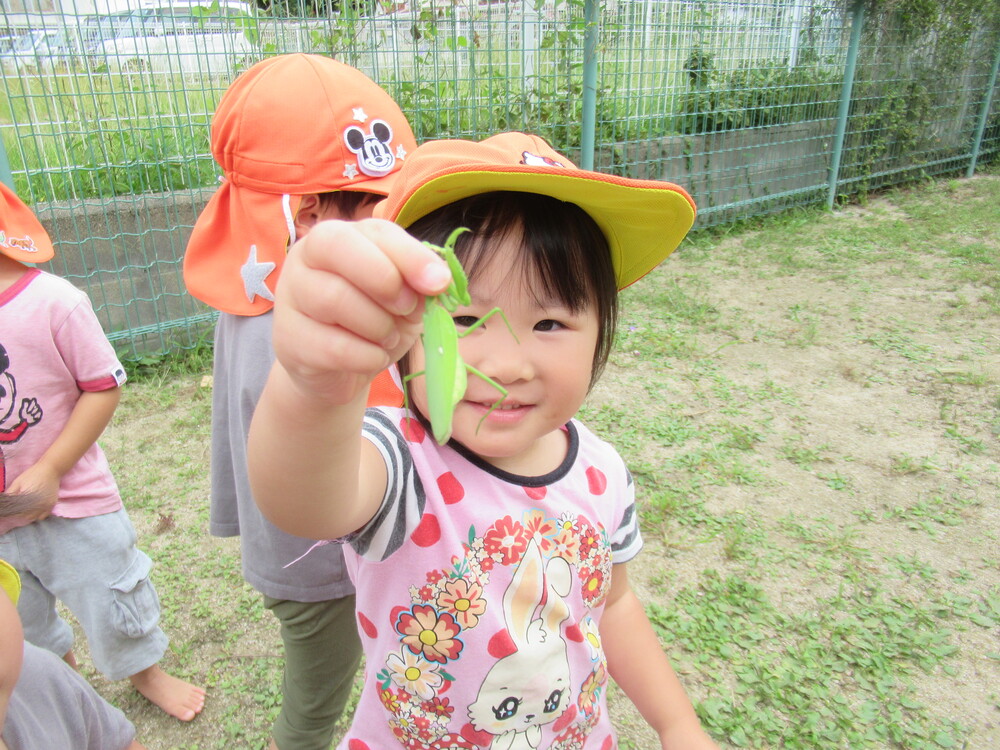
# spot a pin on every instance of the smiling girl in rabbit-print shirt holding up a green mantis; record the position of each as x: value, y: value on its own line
x: 493, y: 596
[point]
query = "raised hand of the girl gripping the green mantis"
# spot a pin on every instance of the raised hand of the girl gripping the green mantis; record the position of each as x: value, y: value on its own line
x: 349, y: 304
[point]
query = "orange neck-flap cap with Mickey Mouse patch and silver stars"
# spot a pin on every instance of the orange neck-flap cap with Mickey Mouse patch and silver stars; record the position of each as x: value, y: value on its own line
x: 289, y: 126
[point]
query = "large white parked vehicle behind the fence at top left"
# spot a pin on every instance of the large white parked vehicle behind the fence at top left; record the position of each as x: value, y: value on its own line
x: 172, y: 36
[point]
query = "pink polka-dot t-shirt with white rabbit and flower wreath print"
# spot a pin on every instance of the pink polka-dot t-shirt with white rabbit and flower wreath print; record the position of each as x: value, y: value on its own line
x: 480, y: 595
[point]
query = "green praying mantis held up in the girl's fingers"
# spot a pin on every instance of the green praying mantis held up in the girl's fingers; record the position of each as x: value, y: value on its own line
x: 445, y: 372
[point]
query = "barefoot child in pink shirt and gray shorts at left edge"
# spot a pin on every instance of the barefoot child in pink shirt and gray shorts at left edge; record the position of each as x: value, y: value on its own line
x: 70, y: 537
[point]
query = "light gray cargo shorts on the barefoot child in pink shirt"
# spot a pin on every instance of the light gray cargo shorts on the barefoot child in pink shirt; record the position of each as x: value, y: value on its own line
x: 93, y: 566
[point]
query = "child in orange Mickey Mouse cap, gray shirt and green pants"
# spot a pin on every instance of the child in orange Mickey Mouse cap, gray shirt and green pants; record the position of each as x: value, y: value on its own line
x: 300, y: 138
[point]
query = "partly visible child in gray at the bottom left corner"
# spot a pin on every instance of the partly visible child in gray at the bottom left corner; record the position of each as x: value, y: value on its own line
x: 44, y: 703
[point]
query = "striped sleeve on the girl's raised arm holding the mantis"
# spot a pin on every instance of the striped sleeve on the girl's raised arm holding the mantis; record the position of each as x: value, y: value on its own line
x: 403, y: 504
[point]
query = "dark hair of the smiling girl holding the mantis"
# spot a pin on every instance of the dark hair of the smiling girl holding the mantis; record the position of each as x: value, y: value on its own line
x: 562, y: 249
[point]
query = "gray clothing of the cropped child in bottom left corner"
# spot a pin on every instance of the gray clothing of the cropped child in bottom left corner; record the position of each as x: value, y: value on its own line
x: 54, y: 707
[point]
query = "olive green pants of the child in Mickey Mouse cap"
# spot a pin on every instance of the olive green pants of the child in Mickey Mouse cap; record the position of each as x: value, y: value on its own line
x: 322, y: 654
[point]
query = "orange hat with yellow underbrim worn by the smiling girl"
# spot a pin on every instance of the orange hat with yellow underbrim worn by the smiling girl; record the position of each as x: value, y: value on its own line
x: 643, y: 220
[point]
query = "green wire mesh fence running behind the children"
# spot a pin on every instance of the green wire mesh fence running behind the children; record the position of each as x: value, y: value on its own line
x: 753, y: 106
